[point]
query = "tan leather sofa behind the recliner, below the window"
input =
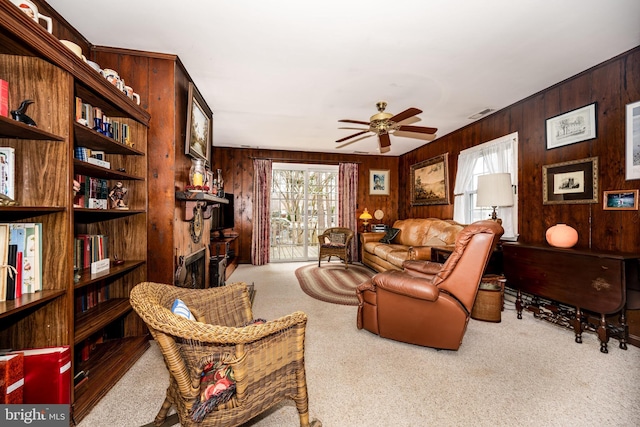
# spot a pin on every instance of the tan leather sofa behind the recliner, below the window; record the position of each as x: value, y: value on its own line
x: 414, y: 241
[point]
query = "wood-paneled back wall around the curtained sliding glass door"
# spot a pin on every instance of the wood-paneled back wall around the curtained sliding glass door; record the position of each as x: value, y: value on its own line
x: 237, y: 169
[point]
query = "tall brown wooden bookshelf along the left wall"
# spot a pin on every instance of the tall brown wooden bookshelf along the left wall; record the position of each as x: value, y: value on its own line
x: 38, y: 67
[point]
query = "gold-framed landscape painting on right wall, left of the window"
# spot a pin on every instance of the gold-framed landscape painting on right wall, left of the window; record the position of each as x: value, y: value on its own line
x: 430, y: 182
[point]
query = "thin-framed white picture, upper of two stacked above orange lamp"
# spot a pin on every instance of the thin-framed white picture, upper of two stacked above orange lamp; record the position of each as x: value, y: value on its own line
x: 575, y: 126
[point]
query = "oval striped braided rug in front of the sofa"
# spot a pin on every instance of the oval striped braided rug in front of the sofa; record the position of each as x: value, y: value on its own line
x: 333, y: 283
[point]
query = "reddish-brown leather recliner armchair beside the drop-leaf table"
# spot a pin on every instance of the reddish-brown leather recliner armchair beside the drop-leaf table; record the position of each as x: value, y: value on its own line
x: 429, y: 303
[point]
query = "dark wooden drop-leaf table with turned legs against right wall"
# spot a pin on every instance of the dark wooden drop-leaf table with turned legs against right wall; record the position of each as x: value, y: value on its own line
x: 596, y: 281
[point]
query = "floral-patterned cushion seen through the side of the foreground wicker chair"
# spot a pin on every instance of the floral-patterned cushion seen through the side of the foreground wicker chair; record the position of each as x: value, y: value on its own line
x: 217, y: 385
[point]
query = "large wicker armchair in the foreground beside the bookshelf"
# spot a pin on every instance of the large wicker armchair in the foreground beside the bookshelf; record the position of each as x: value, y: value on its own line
x: 267, y: 359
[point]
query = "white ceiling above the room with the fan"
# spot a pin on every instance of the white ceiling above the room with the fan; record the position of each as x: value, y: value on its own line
x: 279, y: 74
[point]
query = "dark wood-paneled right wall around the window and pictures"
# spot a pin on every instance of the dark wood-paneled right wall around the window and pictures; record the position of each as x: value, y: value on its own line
x: 611, y: 85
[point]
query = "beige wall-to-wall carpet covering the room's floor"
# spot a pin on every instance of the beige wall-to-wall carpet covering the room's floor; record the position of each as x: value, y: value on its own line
x: 514, y: 373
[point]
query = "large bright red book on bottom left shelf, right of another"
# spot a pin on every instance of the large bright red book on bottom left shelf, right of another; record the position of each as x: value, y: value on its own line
x: 47, y: 375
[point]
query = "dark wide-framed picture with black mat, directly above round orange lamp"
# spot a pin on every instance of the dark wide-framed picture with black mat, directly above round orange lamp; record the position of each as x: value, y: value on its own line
x: 570, y: 182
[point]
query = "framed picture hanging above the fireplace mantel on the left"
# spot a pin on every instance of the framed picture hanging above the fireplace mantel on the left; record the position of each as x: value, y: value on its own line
x: 199, y: 118
